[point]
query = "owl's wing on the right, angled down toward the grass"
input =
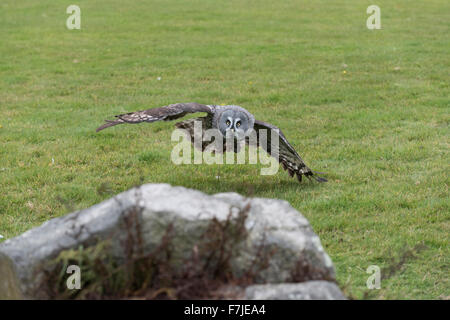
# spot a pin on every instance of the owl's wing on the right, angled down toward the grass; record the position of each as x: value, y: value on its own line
x: 285, y: 153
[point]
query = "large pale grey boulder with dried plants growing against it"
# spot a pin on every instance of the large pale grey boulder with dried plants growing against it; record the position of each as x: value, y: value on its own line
x: 151, y: 209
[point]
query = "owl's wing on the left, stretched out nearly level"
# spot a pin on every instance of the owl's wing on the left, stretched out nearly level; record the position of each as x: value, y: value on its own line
x: 167, y: 113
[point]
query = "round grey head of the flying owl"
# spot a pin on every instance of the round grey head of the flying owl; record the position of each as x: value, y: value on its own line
x: 234, y: 121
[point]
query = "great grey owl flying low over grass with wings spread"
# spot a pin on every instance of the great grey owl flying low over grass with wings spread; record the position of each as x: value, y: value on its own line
x: 229, y: 120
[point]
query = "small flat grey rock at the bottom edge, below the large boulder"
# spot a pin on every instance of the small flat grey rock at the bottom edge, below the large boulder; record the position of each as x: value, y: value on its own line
x: 310, y: 290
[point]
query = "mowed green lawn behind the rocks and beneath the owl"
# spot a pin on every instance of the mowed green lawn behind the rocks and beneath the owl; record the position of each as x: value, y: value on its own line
x: 368, y: 107
